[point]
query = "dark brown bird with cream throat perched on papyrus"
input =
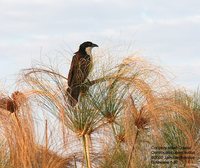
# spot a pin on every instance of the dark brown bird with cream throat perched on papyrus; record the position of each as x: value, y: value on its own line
x: 80, y: 68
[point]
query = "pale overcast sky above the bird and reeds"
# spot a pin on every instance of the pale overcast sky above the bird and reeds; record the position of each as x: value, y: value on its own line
x: 165, y: 32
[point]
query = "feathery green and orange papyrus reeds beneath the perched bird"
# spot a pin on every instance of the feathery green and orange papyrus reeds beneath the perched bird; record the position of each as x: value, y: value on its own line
x: 125, y: 114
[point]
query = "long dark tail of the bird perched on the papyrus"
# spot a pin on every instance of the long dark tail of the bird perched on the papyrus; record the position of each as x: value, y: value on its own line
x: 73, y: 94
